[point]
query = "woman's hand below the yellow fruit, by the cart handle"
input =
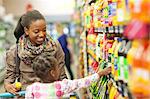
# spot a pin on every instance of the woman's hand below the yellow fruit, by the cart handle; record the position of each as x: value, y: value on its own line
x: 11, y: 88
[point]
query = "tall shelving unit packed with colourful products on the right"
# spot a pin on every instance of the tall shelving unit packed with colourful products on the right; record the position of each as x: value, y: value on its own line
x: 109, y: 42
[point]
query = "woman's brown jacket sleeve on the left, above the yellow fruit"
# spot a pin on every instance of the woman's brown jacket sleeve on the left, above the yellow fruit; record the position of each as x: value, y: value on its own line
x: 10, y: 66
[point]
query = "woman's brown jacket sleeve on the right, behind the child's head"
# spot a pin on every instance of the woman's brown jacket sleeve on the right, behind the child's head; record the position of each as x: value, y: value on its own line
x: 61, y: 60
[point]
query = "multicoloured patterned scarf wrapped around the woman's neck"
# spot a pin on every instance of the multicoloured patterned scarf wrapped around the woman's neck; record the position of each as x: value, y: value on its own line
x: 27, y: 51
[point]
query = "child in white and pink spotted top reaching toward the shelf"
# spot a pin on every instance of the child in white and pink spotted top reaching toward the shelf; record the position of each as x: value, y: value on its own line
x: 45, y: 67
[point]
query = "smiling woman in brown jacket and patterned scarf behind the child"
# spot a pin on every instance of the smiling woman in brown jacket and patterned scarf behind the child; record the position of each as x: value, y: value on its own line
x: 31, y: 42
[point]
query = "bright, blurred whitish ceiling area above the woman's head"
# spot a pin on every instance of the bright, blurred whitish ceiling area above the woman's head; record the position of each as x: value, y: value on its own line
x: 54, y: 10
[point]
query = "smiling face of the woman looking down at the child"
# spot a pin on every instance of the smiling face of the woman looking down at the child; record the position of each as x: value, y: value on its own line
x: 37, y: 32
